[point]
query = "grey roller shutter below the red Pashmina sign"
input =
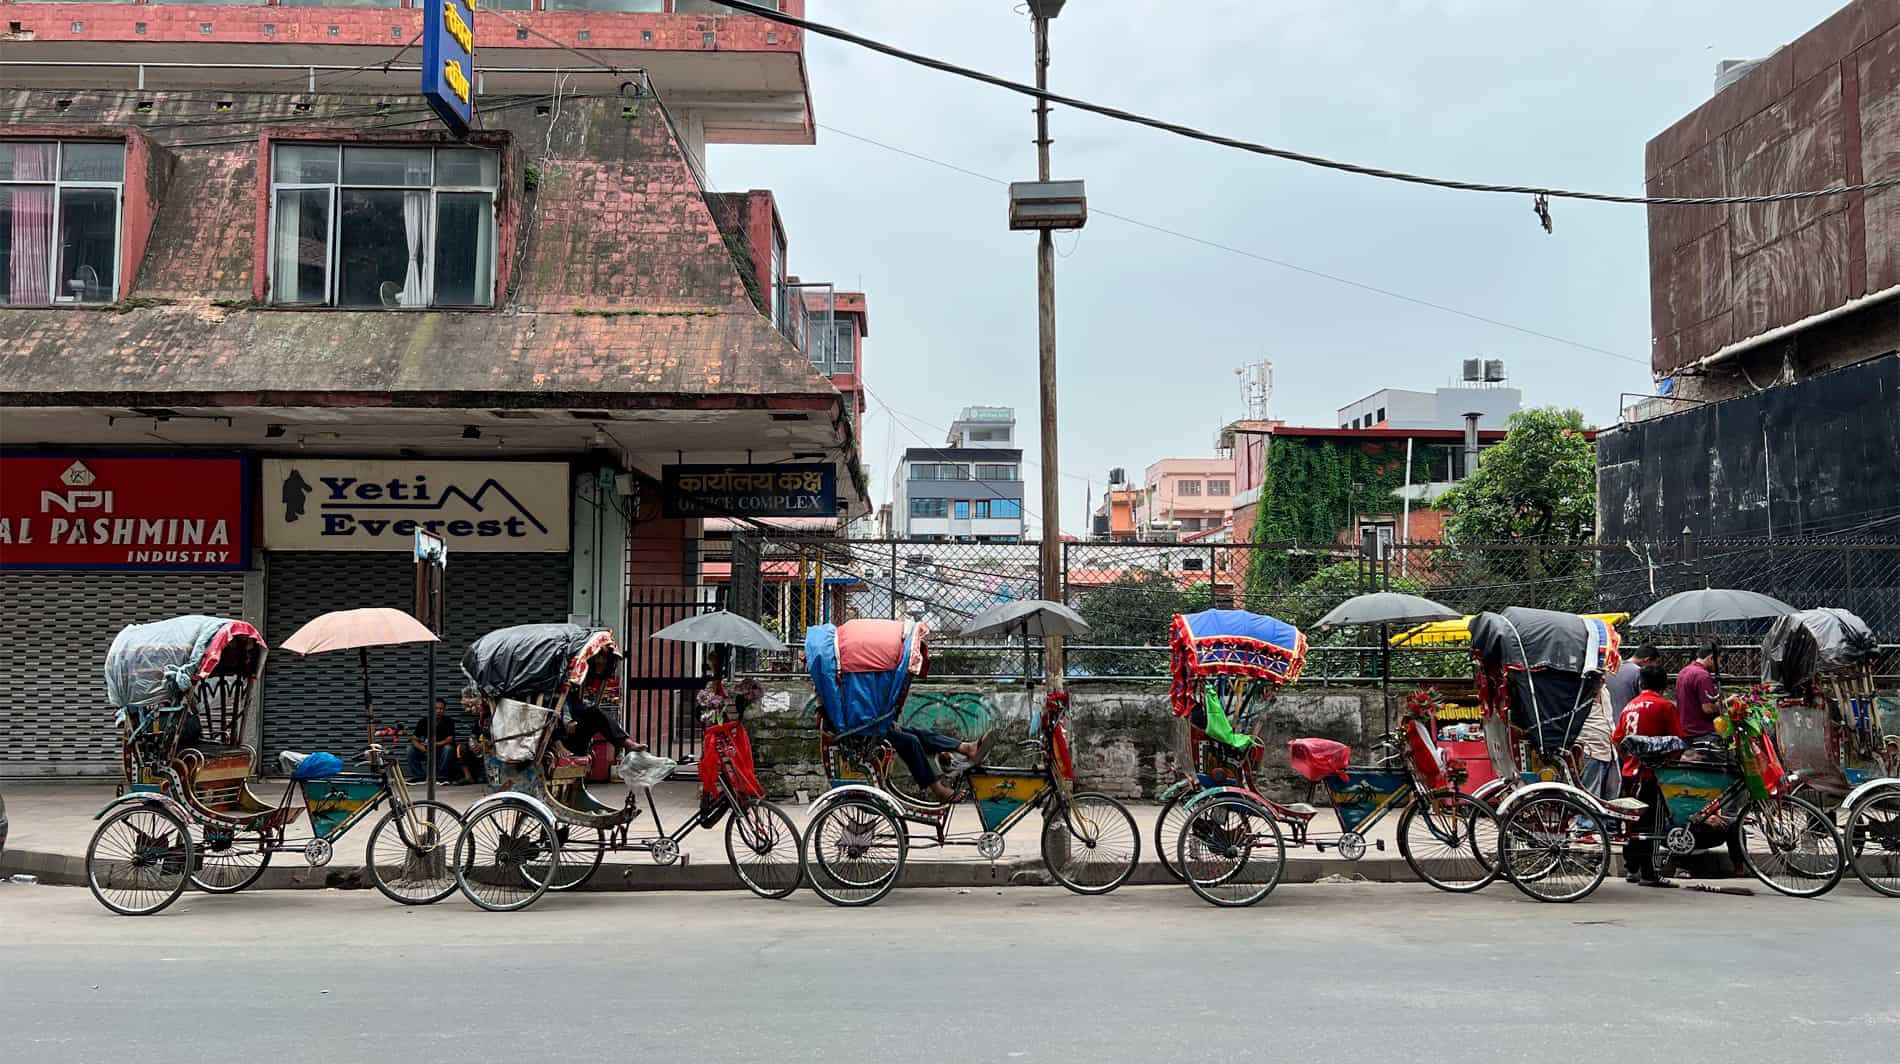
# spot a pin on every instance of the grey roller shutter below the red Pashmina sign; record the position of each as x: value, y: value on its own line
x: 54, y: 636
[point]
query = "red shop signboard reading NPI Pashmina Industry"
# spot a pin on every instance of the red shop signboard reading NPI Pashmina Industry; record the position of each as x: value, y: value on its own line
x: 124, y: 512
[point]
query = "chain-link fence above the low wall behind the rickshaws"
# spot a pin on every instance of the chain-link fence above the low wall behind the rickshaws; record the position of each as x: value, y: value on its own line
x: 1131, y: 592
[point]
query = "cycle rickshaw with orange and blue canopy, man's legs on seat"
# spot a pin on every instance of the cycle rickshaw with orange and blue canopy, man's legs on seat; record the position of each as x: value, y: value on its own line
x: 860, y: 833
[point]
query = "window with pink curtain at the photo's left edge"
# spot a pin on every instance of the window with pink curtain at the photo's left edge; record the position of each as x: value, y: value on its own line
x: 60, y: 221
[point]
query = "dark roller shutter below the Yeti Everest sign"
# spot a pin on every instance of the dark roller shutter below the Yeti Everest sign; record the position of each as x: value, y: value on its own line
x: 316, y: 704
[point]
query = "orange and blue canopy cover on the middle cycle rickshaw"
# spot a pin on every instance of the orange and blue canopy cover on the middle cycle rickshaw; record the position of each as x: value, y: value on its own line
x: 862, y: 672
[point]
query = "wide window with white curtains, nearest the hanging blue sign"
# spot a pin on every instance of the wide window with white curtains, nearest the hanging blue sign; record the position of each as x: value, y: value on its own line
x: 383, y: 227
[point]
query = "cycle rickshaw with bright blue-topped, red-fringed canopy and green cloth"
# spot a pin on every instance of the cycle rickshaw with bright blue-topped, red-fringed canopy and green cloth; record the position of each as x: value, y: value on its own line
x: 1232, y: 839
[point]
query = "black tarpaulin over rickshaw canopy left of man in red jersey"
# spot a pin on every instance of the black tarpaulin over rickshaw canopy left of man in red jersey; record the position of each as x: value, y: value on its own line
x: 1548, y: 666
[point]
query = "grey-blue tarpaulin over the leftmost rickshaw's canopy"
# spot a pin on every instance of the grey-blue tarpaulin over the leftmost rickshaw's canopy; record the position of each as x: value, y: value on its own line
x: 157, y: 664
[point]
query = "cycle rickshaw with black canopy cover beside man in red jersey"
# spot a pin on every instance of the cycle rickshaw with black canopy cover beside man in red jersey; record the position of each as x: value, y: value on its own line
x: 1538, y: 675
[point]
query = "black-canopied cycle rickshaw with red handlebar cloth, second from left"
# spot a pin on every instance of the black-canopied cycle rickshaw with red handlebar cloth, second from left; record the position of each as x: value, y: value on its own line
x: 542, y: 829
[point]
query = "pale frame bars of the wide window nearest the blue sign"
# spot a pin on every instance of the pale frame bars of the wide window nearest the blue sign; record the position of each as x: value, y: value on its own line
x: 430, y: 233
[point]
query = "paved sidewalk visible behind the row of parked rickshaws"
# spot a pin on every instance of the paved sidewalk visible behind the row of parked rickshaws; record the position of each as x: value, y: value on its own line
x: 52, y: 824
